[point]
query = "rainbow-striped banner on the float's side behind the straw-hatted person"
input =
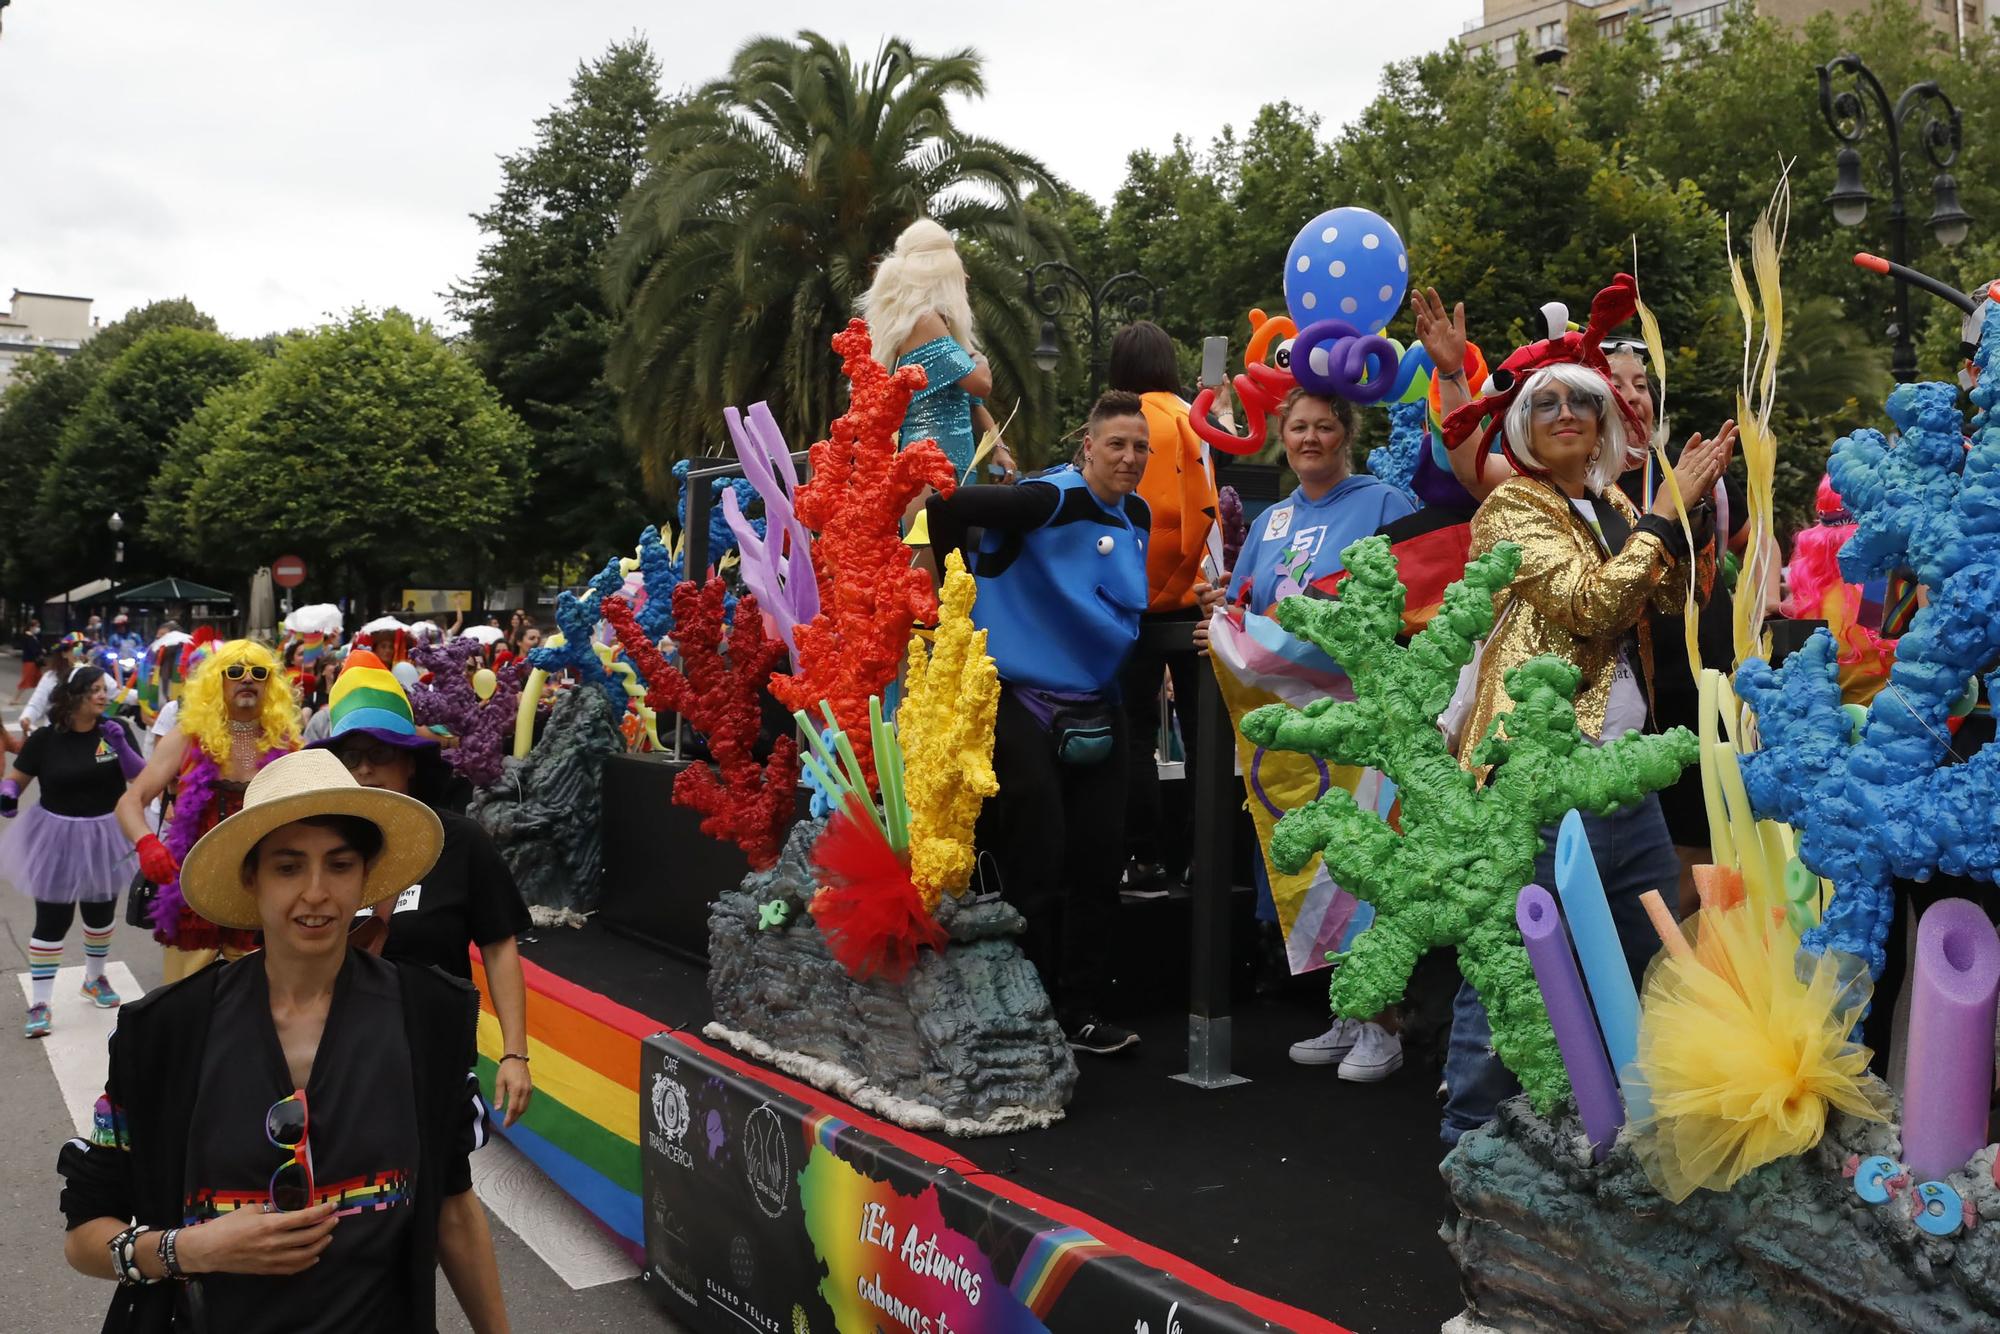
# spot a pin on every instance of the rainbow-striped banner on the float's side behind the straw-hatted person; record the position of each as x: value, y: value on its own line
x: 583, y: 1123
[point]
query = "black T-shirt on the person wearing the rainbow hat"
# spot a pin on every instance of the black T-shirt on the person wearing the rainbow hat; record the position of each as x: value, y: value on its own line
x: 467, y: 899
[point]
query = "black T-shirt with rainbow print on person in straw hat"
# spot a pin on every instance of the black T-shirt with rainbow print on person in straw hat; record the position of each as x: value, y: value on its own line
x: 363, y: 1145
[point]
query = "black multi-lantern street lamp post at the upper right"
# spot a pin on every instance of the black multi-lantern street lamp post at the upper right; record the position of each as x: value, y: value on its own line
x: 1847, y: 113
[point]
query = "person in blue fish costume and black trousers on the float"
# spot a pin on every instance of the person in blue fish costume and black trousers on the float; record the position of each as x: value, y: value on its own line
x: 1061, y: 573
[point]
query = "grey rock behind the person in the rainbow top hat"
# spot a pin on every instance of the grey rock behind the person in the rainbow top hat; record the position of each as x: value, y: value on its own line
x: 547, y: 811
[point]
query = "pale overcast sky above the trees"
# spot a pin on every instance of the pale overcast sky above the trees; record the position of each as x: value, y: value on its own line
x: 279, y: 161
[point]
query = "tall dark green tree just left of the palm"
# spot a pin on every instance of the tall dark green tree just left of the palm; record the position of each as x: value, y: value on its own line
x: 535, y: 307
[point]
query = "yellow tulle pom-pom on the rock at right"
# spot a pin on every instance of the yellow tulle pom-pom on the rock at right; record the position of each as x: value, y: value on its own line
x: 1739, y: 1059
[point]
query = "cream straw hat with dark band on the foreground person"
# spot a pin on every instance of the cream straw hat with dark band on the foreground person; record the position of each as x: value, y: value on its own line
x: 307, y: 783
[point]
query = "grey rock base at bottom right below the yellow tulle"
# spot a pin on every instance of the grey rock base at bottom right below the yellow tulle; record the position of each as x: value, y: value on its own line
x: 1545, y: 1241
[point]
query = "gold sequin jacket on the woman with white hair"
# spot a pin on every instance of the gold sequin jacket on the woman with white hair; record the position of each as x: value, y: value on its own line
x: 1569, y: 599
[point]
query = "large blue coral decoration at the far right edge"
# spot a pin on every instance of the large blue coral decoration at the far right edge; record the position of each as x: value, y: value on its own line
x: 1887, y: 803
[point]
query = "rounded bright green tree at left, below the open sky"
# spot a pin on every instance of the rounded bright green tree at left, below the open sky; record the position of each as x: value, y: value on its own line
x: 369, y: 447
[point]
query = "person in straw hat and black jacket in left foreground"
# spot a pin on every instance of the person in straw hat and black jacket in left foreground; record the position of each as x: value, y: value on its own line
x: 285, y: 1141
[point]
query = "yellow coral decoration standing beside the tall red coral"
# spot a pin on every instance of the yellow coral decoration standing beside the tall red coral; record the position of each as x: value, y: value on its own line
x: 947, y: 729
